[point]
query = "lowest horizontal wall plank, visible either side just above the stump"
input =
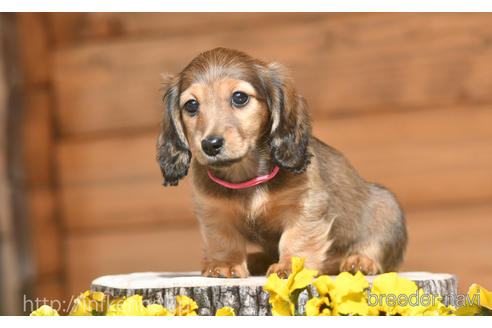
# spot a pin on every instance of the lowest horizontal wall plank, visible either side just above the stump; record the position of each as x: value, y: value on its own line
x: 441, y: 240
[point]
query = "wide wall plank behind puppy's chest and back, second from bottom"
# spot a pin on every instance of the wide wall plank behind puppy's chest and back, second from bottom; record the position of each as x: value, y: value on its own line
x: 427, y: 158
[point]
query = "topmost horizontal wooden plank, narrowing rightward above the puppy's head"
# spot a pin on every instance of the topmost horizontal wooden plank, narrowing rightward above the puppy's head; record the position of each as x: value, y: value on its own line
x: 75, y: 28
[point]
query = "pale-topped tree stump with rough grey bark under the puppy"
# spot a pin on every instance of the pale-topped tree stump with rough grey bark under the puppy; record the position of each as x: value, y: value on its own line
x: 246, y: 296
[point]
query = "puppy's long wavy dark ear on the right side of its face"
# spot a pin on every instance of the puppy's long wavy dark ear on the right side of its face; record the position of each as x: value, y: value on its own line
x: 291, y: 125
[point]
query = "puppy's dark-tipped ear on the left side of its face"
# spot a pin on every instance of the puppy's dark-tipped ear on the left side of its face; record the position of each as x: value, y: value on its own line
x: 173, y: 152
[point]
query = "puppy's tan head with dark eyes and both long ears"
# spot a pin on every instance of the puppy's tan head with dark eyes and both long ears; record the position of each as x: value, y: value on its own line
x: 225, y: 104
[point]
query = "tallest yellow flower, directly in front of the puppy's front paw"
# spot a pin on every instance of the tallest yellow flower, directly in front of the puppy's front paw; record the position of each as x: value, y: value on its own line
x: 283, y: 294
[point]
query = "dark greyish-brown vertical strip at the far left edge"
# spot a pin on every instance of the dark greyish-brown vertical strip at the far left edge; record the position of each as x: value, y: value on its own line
x: 15, y: 253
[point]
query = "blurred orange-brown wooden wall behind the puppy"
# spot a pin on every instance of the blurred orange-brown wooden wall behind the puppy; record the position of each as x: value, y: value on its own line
x: 406, y: 97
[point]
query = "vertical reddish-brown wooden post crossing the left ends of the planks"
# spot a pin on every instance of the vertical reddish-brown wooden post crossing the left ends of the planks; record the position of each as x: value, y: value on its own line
x: 37, y: 152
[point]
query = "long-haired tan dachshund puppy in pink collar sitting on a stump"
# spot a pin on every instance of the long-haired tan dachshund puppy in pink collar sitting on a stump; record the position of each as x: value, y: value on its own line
x: 258, y: 175
